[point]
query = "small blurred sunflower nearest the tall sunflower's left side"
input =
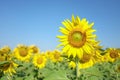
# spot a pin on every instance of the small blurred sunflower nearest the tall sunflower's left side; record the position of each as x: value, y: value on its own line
x: 56, y: 56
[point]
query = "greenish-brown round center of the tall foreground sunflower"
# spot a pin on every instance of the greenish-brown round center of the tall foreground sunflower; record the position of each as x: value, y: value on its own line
x: 77, y: 38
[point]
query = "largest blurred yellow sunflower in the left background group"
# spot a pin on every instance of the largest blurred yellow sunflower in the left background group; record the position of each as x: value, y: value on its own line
x: 22, y: 53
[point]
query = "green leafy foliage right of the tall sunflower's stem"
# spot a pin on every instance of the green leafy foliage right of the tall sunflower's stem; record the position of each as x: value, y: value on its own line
x: 102, y: 71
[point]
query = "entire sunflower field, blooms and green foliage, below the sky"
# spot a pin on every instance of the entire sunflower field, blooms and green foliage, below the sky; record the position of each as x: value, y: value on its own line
x: 79, y: 56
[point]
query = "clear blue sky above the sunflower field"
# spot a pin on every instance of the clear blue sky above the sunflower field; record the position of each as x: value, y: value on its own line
x: 37, y: 21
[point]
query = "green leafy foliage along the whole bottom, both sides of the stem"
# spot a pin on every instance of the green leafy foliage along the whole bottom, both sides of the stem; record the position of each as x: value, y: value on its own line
x: 60, y: 71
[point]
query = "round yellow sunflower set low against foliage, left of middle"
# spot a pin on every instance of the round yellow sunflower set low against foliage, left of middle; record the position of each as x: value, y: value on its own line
x: 39, y: 61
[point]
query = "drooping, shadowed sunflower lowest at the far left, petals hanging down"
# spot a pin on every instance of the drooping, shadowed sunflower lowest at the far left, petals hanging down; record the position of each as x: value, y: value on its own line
x: 9, y: 67
